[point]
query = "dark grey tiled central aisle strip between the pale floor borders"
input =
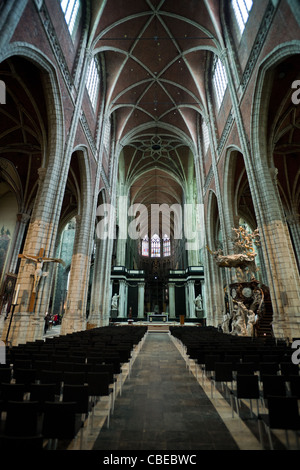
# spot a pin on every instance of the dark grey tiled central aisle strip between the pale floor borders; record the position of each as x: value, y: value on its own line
x: 163, y: 407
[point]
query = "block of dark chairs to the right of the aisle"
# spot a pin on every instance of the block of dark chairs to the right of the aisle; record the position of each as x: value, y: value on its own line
x: 246, y: 369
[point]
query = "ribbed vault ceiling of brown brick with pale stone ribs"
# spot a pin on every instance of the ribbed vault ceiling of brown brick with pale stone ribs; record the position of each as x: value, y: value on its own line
x: 155, y: 54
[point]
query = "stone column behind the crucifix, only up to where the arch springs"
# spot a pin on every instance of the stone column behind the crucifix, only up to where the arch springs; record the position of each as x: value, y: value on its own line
x: 26, y: 325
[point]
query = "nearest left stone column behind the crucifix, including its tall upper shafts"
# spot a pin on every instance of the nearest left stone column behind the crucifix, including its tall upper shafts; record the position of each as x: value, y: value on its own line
x: 29, y: 326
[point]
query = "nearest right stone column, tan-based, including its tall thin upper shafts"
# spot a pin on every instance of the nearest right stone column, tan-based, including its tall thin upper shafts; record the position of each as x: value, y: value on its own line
x: 282, y: 271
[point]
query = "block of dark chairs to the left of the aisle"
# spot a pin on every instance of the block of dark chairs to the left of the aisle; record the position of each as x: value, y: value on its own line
x: 48, y: 388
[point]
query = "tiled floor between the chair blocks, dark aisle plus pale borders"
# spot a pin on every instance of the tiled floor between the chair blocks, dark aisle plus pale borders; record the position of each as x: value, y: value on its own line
x: 165, y: 405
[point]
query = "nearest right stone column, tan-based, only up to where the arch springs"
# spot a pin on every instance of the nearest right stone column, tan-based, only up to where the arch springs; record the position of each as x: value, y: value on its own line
x: 280, y: 260
